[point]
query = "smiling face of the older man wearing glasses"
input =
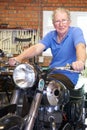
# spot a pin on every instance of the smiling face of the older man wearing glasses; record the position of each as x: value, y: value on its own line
x: 61, y: 22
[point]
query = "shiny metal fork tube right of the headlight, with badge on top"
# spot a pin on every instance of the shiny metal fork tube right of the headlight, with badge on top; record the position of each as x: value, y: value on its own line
x: 29, y: 123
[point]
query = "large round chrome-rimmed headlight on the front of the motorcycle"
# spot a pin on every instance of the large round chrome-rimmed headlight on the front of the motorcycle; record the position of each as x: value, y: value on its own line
x: 24, y: 76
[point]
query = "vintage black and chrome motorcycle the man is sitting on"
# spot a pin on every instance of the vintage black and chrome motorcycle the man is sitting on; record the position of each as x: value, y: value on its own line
x: 48, y: 101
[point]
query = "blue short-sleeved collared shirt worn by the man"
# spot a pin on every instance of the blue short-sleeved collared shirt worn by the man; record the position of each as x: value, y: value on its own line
x: 65, y: 51
